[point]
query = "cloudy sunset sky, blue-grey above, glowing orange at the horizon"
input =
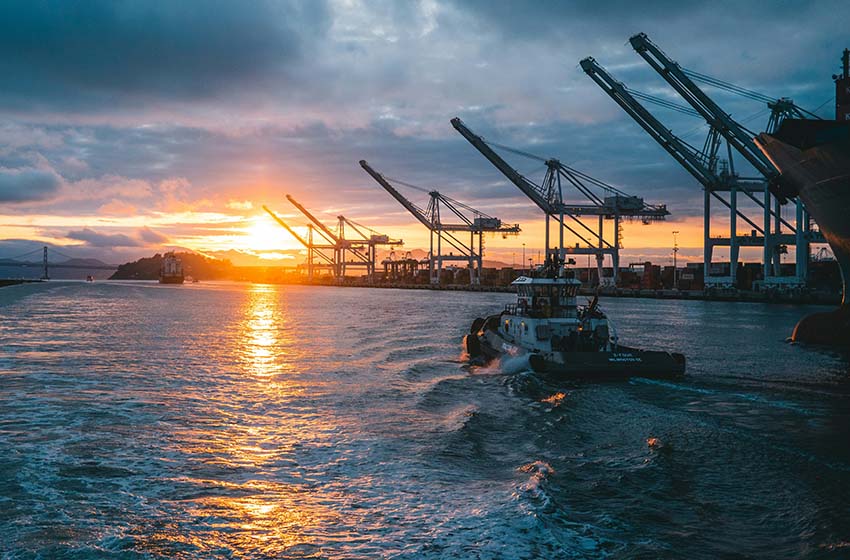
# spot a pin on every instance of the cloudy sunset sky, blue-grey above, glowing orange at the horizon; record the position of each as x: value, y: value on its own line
x: 129, y: 126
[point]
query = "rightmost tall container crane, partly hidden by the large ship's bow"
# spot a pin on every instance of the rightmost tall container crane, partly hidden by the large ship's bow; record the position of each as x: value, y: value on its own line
x: 741, y: 140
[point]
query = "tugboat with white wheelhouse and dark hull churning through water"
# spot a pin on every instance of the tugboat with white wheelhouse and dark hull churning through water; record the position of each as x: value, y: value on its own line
x: 560, y: 338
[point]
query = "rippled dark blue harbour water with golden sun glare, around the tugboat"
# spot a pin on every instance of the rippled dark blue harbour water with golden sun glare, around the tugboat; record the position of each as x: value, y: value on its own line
x: 250, y: 421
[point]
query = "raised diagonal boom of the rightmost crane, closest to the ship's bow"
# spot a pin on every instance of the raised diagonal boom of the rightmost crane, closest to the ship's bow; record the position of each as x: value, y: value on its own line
x: 673, y: 74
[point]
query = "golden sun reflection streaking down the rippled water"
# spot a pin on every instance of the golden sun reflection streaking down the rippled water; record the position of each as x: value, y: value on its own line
x: 244, y: 489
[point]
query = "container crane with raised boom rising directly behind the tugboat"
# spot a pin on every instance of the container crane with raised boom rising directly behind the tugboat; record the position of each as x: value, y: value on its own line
x: 548, y: 195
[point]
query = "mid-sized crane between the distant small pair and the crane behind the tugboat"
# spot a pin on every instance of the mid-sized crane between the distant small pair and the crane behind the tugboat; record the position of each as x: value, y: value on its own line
x: 472, y: 221
